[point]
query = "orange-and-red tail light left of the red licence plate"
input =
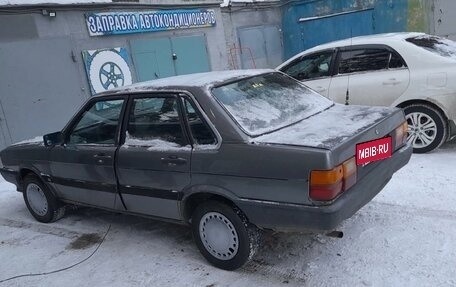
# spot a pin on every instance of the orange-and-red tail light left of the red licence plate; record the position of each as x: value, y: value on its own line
x: 325, y: 185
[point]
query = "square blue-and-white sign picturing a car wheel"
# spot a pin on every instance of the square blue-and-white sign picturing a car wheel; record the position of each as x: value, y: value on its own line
x: 107, y: 69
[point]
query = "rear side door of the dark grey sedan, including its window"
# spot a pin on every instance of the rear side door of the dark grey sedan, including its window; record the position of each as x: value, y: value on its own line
x: 153, y: 164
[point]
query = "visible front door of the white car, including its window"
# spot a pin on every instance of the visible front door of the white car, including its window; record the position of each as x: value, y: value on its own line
x: 314, y: 70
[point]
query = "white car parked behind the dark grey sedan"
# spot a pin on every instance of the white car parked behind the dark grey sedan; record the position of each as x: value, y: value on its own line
x: 408, y: 70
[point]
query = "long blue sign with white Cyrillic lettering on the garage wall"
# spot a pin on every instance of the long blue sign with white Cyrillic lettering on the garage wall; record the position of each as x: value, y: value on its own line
x: 114, y: 23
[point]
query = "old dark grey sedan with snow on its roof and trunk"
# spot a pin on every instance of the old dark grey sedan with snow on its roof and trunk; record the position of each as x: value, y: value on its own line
x: 227, y: 153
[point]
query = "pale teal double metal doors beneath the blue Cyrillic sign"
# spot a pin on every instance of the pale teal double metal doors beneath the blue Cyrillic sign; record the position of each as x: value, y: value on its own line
x: 165, y: 57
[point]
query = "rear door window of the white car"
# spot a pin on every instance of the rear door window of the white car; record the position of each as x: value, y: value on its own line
x: 363, y: 60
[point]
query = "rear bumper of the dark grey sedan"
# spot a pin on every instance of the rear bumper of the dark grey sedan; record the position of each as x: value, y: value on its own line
x: 283, y: 216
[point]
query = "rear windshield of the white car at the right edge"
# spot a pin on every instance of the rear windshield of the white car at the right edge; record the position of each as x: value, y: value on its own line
x: 440, y: 46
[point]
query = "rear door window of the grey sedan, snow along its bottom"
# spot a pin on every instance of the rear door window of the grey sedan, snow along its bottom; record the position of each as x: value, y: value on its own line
x: 155, y: 121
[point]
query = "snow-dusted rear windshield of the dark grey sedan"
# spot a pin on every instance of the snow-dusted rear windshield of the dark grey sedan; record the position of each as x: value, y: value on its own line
x: 268, y: 102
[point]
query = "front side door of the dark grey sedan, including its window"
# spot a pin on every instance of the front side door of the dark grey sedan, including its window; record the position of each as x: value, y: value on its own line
x: 83, y: 167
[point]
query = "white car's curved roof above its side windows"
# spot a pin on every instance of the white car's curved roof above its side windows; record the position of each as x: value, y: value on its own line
x: 386, y: 38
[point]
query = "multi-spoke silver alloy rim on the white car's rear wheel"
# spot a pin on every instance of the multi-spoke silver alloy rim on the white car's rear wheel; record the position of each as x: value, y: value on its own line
x: 422, y: 130
